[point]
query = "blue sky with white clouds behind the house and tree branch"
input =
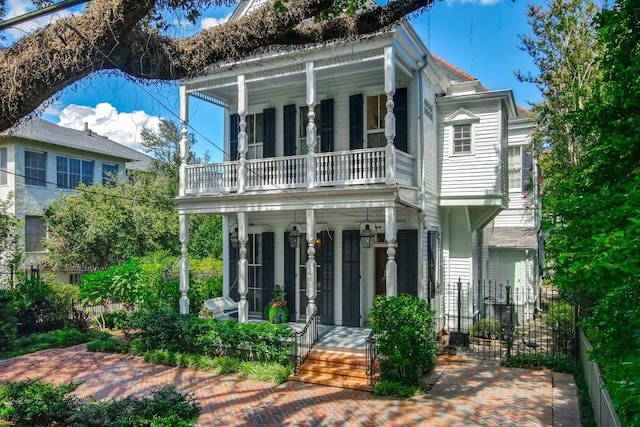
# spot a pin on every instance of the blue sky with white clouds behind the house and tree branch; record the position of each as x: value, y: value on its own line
x: 477, y: 36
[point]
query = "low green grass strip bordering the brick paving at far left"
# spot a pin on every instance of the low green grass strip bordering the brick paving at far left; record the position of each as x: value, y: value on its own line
x: 60, y: 338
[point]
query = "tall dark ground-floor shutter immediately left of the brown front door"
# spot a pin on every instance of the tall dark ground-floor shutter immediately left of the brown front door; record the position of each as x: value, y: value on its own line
x: 351, y: 278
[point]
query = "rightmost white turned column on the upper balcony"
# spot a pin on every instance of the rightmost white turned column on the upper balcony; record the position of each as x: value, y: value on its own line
x: 390, y: 118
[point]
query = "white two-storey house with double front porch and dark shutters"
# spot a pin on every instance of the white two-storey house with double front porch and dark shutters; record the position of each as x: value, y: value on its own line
x: 386, y: 163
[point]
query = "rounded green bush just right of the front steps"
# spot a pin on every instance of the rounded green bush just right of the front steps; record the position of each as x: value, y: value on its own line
x: 405, y: 339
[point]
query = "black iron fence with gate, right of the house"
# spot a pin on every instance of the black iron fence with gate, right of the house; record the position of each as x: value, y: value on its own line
x: 494, y: 320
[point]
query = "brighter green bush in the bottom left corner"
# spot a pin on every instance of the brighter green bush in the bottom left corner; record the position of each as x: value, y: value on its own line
x: 34, y: 402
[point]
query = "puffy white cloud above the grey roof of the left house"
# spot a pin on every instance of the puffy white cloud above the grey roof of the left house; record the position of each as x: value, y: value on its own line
x: 105, y: 120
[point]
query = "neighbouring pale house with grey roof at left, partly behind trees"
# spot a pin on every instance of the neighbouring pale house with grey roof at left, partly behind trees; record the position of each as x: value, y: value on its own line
x: 39, y: 159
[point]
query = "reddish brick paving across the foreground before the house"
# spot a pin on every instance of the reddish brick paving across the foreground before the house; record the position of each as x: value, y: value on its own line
x: 465, y: 394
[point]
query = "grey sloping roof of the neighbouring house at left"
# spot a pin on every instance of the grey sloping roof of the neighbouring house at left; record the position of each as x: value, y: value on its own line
x: 37, y: 129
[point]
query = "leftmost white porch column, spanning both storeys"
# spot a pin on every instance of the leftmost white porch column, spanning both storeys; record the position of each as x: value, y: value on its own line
x: 184, y: 219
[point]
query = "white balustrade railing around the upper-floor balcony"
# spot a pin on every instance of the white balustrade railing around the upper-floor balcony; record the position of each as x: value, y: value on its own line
x: 334, y: 169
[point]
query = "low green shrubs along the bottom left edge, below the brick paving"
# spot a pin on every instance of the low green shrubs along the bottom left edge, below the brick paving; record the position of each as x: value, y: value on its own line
x: 38, y: 403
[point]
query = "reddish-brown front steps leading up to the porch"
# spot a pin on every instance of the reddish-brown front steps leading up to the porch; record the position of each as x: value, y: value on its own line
x: 336, y: 369
